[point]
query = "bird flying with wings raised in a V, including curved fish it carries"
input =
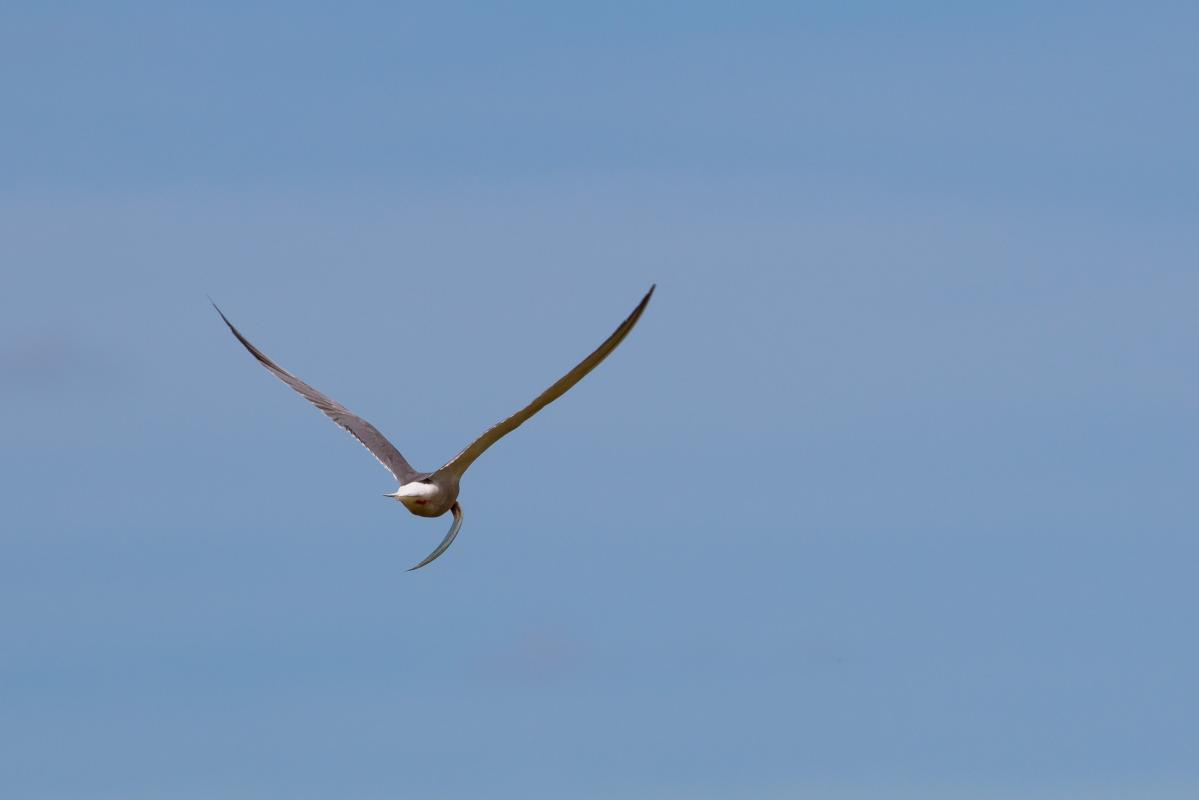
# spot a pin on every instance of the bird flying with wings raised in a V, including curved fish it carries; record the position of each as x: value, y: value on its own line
x: 432, y: 495
